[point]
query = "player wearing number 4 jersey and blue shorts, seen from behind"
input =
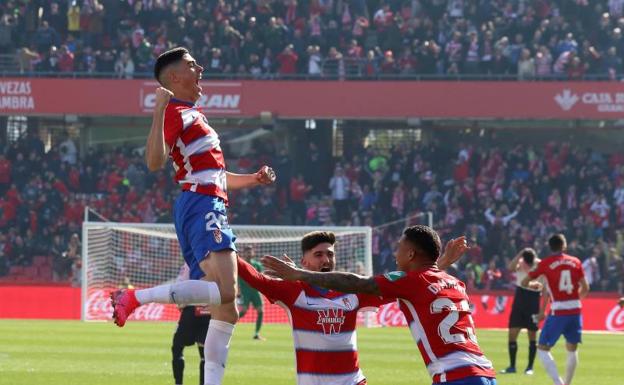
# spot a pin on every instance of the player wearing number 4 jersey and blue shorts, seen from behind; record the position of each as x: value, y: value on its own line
x: 567, y: 285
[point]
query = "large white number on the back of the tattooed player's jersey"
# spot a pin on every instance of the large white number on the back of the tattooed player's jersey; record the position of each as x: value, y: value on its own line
x: 444, y: 329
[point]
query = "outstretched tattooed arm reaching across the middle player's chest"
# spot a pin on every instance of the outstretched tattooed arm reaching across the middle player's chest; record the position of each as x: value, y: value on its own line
x: 344, y: 282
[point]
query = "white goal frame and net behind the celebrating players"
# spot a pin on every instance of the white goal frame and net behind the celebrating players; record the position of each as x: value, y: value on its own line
x: 118, y: 255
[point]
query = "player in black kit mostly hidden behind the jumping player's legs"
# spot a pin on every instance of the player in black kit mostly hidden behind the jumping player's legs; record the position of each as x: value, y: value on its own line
x: 192, y: 328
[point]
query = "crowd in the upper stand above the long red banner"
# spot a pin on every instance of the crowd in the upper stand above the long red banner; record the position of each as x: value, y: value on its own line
x: 321, y: 38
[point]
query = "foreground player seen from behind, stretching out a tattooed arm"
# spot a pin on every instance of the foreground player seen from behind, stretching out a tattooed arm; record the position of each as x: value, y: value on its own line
x: 434, y: 303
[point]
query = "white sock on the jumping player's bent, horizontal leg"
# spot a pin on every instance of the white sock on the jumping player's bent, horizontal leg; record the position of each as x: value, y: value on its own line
x: 192, y: 292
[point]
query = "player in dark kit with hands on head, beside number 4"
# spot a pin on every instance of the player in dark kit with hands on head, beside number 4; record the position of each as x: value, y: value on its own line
x: 524, y: 310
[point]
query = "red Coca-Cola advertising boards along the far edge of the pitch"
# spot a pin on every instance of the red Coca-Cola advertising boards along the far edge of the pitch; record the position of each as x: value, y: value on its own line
x: 489, y: 311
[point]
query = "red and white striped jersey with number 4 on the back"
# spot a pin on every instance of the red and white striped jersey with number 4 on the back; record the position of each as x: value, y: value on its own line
x: 563, y: 274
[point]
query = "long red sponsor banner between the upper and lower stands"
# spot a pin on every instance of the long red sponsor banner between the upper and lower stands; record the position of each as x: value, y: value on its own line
x: 324, y: 99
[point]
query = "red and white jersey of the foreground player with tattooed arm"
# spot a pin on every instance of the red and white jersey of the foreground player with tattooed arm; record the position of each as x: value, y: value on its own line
x: 437, y: 311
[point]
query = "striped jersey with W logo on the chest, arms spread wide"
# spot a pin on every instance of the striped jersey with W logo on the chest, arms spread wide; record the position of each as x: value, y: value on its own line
x: 323, y: 324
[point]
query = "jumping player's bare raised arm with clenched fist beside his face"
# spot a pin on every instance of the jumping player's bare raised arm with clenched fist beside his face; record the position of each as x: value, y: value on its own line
x: 156, y: 149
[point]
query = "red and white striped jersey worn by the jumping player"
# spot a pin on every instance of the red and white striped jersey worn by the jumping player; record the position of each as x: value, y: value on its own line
x: 194, y: 148
